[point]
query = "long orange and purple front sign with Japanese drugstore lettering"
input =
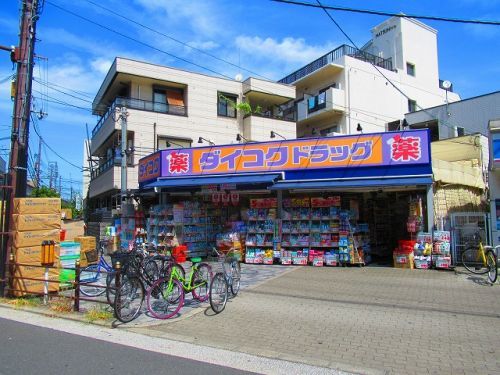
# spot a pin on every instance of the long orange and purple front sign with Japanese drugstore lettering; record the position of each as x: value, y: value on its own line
x: 383, y: 149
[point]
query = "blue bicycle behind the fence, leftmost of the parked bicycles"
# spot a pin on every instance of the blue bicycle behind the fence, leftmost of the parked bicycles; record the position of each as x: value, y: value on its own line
x: 95, y: 279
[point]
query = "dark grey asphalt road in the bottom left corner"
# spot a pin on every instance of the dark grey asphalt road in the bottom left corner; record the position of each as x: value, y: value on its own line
x: 28, y: 349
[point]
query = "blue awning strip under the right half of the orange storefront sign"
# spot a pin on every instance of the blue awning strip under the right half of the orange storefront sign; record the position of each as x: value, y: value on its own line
x: 353, y: 183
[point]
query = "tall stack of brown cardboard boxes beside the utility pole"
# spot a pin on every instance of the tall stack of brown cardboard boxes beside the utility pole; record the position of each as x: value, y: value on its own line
x: 34, y: 220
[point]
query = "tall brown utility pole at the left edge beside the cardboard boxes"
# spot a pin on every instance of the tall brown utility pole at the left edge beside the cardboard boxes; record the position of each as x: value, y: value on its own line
x: 18, y: 162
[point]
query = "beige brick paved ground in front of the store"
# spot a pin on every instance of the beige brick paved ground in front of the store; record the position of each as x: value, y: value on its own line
x: 369, y: 320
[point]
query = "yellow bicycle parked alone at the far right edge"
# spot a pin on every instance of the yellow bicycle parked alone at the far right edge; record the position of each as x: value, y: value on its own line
x: 481, y: 259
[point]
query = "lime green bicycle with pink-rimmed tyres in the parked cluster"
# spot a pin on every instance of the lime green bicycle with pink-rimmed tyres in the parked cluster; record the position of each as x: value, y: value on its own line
x: 166, y: 296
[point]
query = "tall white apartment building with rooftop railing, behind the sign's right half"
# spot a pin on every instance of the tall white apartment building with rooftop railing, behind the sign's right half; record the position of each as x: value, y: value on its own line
x: 351, y: 90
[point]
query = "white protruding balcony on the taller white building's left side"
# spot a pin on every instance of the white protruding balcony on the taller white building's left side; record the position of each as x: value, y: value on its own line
x: 317, y: 107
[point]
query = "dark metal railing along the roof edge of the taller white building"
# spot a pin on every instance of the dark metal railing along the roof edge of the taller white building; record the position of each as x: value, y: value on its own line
x: 343, y: 50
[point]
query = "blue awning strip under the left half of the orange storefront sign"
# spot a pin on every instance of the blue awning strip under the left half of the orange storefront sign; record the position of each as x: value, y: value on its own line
x: 250, y: 179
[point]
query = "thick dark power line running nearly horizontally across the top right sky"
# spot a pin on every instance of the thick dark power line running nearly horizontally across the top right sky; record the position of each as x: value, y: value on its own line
x: 390, y: 14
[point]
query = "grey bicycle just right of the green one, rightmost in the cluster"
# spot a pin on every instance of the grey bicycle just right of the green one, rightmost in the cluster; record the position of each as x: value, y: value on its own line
x: 222, y: 282
